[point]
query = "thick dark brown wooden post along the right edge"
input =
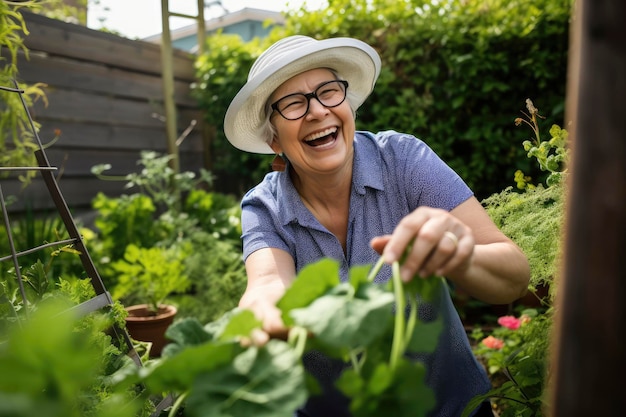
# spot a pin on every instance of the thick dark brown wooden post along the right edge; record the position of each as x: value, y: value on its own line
x: 590, y: 340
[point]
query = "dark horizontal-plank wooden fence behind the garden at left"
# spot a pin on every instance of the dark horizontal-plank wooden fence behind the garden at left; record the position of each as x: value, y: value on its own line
x: 105, y: 96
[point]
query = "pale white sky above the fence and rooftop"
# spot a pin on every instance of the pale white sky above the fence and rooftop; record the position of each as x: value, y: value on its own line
x: 142, y: 18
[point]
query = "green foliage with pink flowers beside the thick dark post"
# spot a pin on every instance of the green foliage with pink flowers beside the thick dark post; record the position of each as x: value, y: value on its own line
x: 516, y: 353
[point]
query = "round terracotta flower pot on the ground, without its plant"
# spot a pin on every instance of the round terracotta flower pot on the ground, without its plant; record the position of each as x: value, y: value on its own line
x: 145, y: 326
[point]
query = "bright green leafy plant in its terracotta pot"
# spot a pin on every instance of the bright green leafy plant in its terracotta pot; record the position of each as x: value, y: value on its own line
x: 146, y: 277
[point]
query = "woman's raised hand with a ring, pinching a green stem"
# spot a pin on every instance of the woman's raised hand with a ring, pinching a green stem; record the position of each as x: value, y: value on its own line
x: 438, y: 243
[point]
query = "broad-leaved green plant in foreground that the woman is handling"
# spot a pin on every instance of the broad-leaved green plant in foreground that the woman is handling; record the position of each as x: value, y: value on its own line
x: 219, y: 370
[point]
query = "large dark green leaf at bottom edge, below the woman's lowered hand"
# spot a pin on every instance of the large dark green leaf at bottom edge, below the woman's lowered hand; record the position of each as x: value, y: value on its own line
x: 260, y: 382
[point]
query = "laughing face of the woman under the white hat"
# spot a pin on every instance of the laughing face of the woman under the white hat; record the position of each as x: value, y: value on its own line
x: 322, y: 140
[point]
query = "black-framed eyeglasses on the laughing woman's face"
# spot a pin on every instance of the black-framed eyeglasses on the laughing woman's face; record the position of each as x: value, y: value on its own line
x: 296, y: 106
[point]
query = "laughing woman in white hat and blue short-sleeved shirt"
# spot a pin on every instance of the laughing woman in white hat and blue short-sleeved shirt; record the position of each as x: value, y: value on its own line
x: 351, y: 196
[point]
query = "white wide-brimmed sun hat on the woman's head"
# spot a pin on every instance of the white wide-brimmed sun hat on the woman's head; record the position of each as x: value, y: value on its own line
x: 353, y: 60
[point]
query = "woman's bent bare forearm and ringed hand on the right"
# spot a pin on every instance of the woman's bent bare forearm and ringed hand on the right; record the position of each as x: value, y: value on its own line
x: 481, y: 260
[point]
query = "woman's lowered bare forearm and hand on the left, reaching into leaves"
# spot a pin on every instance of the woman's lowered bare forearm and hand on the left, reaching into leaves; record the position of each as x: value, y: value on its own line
x: 270, y: 271
